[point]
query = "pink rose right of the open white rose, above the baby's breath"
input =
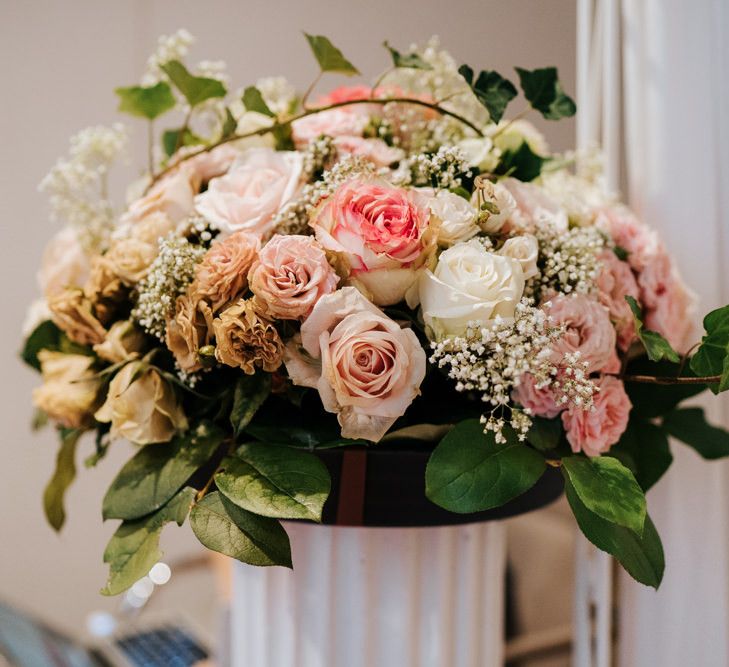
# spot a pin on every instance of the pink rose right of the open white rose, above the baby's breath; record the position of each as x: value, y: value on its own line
x: 587, y: 330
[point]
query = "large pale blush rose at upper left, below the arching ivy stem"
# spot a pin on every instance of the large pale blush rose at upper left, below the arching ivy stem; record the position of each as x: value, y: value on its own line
x: 255, y: 188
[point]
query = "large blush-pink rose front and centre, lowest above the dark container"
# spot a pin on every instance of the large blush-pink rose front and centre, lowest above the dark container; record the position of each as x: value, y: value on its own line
x: 366, y: 368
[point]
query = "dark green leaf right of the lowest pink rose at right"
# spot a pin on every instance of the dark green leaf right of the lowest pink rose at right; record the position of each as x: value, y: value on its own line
x: 644, y: 449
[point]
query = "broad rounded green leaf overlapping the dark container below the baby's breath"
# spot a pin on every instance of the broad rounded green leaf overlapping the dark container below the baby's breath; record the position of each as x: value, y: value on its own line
x: 470, y: 472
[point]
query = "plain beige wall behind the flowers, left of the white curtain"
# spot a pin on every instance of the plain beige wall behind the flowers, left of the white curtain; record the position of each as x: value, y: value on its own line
x: 59, y: 63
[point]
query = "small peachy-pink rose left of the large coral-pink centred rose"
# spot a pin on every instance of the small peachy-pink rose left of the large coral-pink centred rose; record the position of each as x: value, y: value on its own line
x: 291, y: 274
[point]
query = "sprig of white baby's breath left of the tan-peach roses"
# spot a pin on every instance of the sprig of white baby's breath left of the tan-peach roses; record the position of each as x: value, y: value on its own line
x: 170, y: 274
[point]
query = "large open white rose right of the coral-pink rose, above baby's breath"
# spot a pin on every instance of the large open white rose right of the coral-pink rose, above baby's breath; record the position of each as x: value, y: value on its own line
x: 469, y: 284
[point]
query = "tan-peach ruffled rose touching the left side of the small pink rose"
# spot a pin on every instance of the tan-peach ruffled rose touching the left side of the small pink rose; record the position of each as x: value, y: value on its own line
x: 222, y: 274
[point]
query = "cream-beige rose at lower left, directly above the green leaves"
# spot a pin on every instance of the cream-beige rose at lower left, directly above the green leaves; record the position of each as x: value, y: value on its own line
x: 141, y: 406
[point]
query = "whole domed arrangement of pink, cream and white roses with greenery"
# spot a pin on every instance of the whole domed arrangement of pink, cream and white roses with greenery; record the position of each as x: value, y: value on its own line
x: 377, y: 264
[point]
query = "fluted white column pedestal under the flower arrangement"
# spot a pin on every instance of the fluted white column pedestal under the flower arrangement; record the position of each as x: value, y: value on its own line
x: 390, y: 597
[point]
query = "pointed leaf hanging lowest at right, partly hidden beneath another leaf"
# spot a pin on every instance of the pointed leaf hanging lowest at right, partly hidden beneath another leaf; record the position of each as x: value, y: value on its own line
x: 641, y: 556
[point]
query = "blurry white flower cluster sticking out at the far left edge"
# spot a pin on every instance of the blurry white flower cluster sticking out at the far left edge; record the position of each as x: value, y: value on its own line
x: 78, y: 187
